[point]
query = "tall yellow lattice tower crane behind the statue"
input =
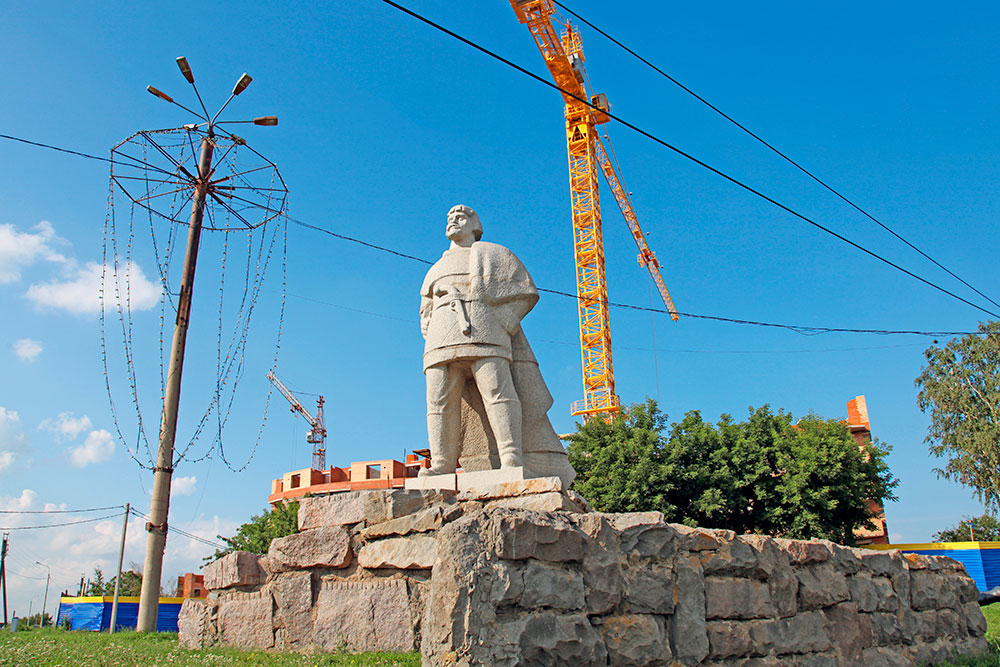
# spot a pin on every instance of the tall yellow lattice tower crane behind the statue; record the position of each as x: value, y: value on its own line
x: 563, y: 56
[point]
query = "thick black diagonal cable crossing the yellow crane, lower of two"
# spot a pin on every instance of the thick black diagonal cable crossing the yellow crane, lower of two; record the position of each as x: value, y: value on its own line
x: 682, y: 153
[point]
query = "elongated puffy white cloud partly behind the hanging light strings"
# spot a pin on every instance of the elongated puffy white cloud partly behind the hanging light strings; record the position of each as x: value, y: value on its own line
x: 80, y: 294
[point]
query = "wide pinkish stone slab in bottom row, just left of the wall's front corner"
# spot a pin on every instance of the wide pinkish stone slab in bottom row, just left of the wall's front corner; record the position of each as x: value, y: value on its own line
x: 360, y: 616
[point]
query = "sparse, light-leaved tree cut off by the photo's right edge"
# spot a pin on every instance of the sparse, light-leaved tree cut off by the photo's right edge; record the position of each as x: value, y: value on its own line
x: 960, y: 386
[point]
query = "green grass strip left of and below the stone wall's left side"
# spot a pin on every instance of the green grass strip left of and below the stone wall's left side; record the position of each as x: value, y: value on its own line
x: 50, y: 647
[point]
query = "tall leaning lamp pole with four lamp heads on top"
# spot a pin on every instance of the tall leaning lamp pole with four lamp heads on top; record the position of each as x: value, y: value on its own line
x: 203, y: 187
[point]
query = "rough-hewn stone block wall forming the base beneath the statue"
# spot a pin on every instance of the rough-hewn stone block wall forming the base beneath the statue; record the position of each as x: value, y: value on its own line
x: 523, y: 574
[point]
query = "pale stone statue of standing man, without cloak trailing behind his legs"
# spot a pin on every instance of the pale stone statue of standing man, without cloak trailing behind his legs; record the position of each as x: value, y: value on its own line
x: 471, y: 304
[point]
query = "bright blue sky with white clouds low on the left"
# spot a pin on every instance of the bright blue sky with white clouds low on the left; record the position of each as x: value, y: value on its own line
x: 385, y: 124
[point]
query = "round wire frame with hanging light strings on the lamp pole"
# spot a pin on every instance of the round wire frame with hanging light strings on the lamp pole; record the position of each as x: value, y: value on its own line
x: 151, y: 172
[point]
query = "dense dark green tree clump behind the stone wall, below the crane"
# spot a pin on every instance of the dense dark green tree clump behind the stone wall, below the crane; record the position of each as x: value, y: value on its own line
x: 764, y: 475
